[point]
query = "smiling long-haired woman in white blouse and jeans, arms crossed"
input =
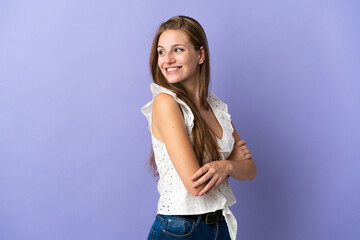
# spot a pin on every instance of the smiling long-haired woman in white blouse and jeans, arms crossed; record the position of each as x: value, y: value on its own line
x: 195, y: 145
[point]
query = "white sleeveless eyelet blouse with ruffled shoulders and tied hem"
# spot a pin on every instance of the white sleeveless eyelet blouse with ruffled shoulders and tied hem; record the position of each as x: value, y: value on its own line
x: 174, y: 198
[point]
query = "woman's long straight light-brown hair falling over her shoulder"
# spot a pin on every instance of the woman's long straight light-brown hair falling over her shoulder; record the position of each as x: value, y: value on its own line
x: 204, y: 139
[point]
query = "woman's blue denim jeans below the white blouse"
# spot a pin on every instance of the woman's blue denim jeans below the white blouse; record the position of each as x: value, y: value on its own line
x: 167, y: 227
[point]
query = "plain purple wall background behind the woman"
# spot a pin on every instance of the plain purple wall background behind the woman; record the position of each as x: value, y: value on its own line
x: 74, y: 144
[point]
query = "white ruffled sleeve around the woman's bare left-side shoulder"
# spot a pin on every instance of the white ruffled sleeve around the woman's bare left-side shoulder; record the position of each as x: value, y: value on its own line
x: 156, y: 89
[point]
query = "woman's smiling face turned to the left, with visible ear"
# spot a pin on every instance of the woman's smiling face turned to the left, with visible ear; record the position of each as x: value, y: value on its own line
x: 177, y: 57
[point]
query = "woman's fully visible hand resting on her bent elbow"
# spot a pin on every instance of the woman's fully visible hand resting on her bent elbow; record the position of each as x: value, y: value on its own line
x: 215, y: 173
